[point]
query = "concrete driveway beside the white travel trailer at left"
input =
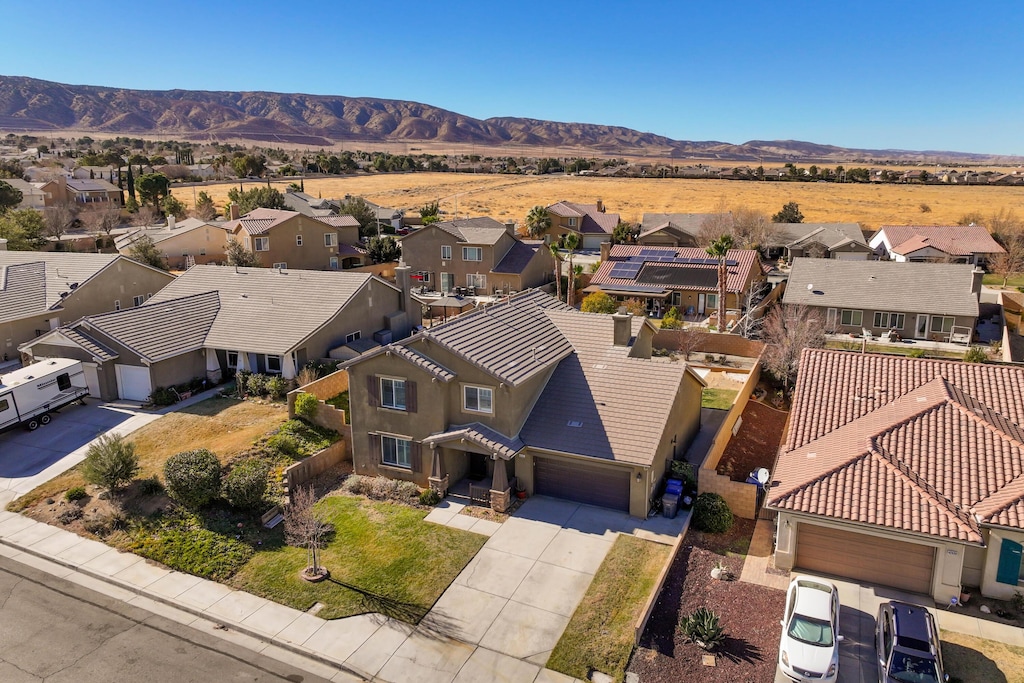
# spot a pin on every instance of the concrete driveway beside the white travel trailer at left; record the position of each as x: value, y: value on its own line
x: 29, y: 459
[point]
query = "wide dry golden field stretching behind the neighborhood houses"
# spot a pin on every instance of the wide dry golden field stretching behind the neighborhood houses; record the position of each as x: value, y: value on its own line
x: 505, y: 197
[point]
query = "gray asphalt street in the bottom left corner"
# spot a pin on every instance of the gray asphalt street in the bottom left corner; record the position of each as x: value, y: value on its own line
x: 57, y: 631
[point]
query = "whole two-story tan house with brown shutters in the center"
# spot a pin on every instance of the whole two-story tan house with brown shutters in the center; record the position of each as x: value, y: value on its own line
x: 527, y: 394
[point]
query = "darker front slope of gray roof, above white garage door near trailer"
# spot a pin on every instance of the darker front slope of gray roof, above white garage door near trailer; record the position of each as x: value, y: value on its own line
x: 158, y: 331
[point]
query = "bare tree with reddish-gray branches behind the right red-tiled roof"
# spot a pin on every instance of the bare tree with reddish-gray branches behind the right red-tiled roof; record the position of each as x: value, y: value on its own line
x: 788, y: 331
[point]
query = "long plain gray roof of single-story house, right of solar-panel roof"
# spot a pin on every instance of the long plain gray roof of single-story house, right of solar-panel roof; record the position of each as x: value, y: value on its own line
x: 883, y: 286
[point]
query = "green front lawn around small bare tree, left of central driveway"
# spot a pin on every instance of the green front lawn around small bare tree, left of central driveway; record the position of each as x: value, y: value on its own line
x: 383, y: 559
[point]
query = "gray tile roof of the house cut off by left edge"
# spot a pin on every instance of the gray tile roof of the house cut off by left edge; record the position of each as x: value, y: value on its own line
x: 31, y: 283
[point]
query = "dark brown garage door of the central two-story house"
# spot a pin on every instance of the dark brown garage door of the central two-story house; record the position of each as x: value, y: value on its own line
x: 605, y: 487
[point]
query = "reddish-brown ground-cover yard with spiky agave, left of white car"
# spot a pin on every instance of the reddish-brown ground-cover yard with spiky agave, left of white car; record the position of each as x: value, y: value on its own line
x: 749, y: 613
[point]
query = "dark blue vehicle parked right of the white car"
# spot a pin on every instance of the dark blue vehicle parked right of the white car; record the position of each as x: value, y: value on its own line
x: 908, y: 645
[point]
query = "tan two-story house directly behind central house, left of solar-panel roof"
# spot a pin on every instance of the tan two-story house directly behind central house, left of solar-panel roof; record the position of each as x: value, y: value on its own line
x: 477, y: 253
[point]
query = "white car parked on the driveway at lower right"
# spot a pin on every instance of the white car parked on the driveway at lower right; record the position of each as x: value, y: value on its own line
x: 809, y: 650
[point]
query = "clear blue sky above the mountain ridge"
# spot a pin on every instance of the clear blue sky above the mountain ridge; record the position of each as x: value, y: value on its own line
x: 878, y: 75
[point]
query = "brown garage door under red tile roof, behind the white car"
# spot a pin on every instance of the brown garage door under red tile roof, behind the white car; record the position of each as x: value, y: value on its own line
x: 868, y: 559
